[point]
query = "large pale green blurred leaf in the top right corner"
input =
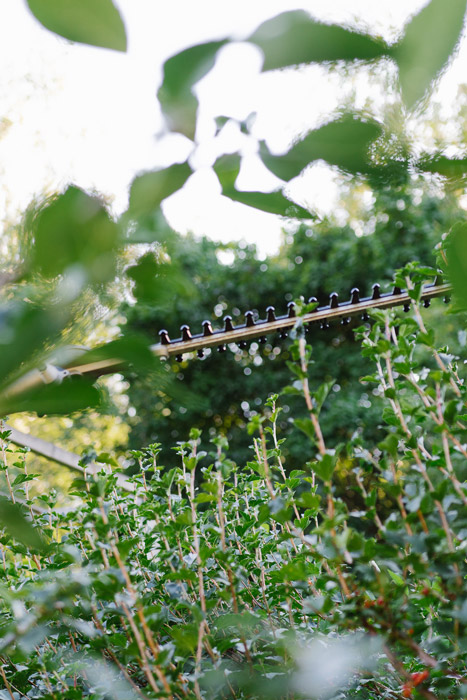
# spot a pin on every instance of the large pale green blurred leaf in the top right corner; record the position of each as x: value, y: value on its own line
x: 426, y: 46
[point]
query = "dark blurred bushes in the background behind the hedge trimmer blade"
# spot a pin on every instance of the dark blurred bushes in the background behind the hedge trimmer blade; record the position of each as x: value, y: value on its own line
x: 404, y: 224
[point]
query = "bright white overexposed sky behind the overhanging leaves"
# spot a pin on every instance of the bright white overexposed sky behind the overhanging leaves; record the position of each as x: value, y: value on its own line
x: 72, y: 113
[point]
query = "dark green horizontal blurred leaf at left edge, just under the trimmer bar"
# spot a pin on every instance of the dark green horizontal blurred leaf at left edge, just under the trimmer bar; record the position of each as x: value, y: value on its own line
x: 75, y: 394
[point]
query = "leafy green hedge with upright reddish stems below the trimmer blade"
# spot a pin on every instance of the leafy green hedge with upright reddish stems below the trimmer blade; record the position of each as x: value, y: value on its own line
x: 215, y: 579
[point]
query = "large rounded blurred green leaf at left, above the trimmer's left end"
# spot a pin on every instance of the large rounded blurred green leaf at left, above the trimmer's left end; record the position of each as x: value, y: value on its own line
x: 75, y: 230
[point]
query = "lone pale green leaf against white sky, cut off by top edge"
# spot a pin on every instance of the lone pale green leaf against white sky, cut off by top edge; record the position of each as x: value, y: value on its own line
x: 95, y: 22
